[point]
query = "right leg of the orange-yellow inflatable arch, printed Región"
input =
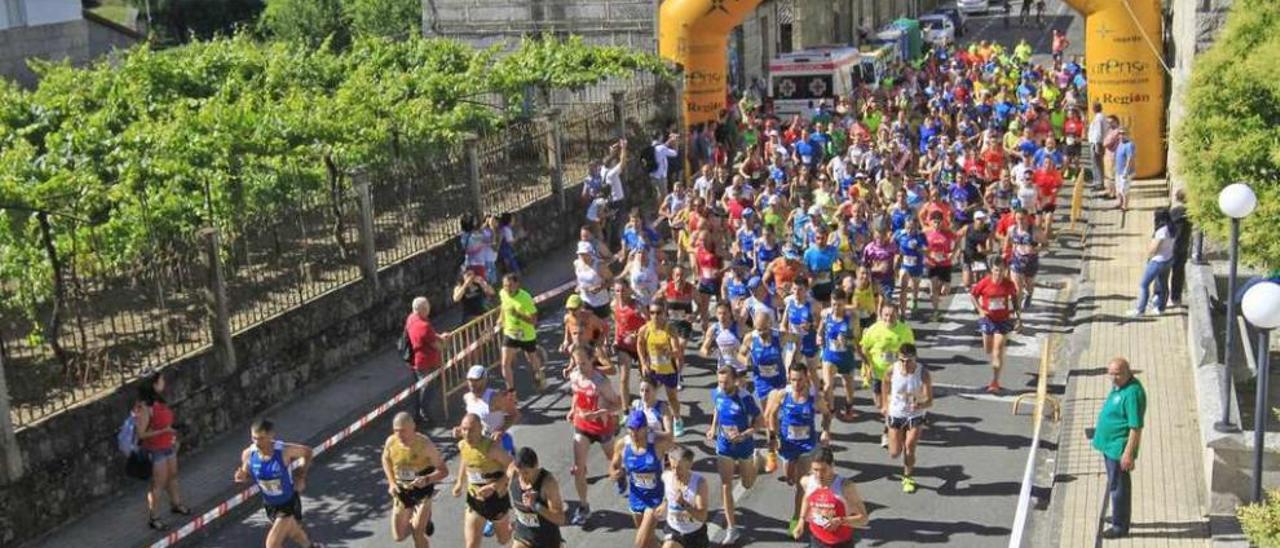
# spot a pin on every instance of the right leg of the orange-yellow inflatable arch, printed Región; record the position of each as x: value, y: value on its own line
x: 1126, y: 72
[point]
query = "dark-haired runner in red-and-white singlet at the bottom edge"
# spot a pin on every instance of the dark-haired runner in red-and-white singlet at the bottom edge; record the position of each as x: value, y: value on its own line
x: 833, y: 508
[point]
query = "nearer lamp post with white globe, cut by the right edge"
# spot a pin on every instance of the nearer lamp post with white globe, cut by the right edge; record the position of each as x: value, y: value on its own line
x: 1261, y: 307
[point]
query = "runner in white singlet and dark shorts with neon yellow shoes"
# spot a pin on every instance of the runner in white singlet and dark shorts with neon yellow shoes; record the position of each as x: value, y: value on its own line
x: 907, y: 394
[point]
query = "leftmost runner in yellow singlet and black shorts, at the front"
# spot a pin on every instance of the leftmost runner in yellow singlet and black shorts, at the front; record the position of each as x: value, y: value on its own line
x: 413, y: 465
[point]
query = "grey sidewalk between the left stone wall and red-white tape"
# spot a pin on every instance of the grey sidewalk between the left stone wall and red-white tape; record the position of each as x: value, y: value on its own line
x: 120, y: 520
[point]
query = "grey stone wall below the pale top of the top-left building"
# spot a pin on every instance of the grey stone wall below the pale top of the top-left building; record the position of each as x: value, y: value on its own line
x: 79, y: 42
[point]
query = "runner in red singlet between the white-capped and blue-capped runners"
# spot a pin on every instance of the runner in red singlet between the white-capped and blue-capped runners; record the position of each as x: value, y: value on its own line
x: 593, y: 414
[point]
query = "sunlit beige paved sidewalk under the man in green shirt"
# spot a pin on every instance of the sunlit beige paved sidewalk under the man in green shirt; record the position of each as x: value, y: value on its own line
x: 1168, y: 504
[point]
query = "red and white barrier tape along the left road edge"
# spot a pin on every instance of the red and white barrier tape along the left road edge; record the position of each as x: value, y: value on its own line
x: 225, y: 508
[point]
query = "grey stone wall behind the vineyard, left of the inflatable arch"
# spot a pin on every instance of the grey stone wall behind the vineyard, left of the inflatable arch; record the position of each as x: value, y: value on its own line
x: 486, y: 22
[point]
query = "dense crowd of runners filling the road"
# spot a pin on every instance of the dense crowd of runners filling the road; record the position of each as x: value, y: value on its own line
x: 796, y: 263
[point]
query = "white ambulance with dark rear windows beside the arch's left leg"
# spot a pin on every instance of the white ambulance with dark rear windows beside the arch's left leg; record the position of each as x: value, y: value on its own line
x: 801, y: 80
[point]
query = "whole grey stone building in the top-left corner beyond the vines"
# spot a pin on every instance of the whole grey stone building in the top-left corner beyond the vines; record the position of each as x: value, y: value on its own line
x: 54, y: 30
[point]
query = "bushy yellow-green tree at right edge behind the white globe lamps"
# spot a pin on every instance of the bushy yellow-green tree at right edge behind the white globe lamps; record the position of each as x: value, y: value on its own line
x: 1232, y: 129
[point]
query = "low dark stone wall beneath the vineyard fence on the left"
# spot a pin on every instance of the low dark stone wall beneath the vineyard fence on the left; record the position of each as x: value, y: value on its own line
x: 71, y: 459
